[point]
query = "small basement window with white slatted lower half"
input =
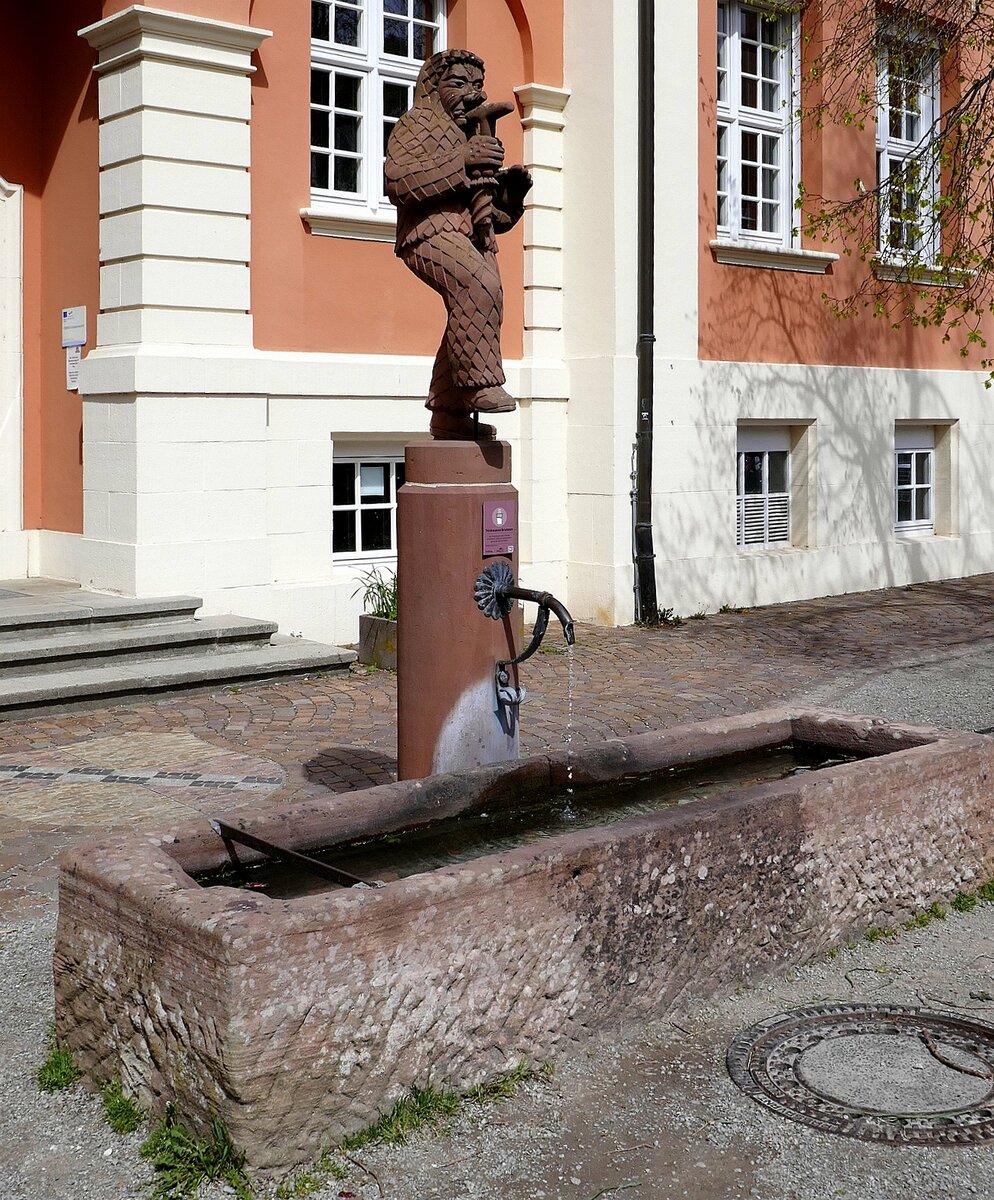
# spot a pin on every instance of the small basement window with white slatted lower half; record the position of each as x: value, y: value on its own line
x: 763, y: 489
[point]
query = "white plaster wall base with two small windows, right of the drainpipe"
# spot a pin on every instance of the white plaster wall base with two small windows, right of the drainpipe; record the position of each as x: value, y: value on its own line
x: 853, y: 413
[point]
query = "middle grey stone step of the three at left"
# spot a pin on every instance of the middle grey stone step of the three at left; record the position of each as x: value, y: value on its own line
x: 34, y: 651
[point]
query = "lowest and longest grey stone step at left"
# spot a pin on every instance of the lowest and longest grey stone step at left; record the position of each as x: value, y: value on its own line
x: 119, y: 682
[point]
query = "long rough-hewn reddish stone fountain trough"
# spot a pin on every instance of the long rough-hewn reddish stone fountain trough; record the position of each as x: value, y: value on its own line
x: 297, y: 1022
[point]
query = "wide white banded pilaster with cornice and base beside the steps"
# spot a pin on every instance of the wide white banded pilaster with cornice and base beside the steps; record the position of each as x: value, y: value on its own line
x: 173, y: 469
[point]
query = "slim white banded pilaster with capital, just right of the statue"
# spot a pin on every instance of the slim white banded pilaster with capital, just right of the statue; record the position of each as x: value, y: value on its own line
x: 544, y: 125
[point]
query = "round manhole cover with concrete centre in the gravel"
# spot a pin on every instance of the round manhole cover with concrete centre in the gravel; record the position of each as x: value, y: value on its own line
x: 901, y: 1076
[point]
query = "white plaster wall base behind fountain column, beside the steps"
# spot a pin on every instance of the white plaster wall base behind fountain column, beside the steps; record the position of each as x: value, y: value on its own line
x: 225, y: 491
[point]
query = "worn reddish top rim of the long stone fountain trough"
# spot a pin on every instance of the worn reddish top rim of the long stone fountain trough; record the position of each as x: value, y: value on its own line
x: 172, y: 856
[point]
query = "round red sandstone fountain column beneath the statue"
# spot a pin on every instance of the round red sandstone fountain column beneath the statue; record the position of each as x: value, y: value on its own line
x: 456, y: 513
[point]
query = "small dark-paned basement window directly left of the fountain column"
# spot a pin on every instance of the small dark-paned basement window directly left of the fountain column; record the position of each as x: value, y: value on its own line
x: 364, y: 506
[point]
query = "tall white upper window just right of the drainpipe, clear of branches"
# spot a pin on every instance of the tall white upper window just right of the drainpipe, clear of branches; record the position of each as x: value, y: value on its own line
x: 756, y: 125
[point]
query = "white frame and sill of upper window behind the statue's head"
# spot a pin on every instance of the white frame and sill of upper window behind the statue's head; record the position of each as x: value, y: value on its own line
x: 366, y: 214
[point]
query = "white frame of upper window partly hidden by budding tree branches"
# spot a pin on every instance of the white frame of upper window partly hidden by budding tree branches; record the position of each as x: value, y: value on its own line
x: 902, y: 153
